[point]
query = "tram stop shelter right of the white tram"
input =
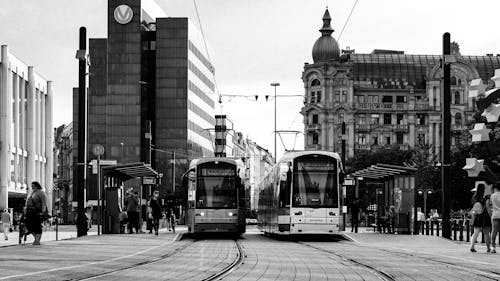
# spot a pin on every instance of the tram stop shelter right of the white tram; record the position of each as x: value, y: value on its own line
x: 391, y: 185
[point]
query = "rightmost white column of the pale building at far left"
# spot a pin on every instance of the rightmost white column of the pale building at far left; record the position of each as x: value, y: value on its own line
x: 49, y: 156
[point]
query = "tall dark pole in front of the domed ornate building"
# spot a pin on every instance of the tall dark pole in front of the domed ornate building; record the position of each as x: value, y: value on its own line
x: 445, y: 168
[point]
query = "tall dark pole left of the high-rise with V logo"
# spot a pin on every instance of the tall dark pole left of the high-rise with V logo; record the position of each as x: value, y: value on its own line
x: 82, y: 133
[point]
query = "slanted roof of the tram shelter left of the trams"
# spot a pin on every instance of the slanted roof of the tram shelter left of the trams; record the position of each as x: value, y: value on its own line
x: 129, y: 171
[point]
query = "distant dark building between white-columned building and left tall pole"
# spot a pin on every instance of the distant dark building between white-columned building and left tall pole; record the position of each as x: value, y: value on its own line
x: 63, y: 168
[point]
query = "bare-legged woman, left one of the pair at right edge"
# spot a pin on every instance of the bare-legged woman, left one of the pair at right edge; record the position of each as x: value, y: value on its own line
x: 481, y: 217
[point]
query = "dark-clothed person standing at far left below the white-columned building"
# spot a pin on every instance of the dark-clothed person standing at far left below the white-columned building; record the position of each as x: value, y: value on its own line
x: 36, y: 211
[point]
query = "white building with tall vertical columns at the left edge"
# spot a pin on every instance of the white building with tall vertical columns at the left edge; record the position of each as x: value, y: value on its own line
x: 25, y: 131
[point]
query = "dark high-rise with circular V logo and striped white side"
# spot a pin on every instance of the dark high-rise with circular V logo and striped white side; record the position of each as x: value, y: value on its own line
x: 150, y: 68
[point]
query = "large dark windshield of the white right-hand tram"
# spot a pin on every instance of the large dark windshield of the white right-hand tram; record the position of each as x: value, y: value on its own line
x: 315, y: 182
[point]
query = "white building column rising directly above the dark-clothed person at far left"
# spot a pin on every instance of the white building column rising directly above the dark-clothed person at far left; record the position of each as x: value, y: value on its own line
x: 30, y: 129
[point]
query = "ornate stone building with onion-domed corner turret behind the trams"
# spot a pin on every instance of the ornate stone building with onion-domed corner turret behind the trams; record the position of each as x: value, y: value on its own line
x: 385, y: 98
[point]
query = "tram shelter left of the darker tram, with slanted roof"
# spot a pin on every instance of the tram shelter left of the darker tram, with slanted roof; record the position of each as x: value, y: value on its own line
x: 113, y: 191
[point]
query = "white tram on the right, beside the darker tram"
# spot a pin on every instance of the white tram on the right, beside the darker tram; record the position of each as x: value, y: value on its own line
x: 301, y: 194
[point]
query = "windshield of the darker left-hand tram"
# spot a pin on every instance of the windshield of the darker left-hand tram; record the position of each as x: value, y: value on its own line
x: 216, y: 187
